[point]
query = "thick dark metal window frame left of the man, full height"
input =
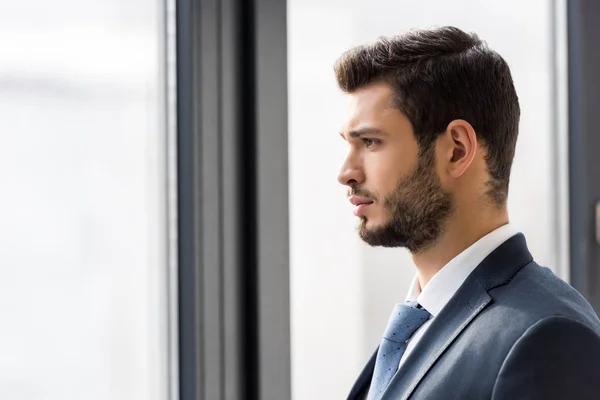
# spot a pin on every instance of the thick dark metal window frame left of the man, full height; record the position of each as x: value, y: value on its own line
x: 234, y: 334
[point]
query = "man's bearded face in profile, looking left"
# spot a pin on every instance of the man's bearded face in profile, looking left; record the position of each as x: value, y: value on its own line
x: 396, y: 190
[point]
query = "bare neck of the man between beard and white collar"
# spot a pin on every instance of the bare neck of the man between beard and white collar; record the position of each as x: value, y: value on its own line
x: 461, y: 231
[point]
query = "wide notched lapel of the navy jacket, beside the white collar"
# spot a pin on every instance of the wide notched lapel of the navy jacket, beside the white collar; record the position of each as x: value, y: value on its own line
x: 470, y: 299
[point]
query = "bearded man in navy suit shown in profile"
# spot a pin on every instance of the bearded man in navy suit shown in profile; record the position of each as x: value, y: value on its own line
x: 432, y: 126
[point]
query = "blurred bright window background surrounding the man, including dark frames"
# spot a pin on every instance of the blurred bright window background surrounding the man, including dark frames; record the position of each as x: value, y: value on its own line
x: 156, y: 157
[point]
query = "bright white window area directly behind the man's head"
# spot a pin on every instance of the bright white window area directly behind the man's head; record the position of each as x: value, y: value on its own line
x: 342, y: 290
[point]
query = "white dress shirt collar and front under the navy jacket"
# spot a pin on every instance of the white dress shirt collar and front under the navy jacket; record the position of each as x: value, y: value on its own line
x: 450, y: 278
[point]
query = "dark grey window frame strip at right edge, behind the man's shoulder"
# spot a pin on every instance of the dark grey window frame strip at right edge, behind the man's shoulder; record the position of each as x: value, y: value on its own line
x: 584, y: 144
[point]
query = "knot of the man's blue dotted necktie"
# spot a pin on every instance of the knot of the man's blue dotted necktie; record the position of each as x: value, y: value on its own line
x: 404, y: 321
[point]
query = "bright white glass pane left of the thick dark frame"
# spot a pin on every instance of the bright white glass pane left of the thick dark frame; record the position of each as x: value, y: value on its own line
x: 82, y: 160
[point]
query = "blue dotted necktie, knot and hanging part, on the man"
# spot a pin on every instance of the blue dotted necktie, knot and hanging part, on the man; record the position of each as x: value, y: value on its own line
x: 404, y: 322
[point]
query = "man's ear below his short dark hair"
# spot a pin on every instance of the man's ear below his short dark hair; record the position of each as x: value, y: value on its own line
x: 463, y: 146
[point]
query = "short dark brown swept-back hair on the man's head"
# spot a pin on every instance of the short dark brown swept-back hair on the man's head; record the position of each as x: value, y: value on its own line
x: 439, y: 75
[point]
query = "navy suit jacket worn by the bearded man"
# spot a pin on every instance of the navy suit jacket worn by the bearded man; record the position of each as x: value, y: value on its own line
x: 513, y: 330
